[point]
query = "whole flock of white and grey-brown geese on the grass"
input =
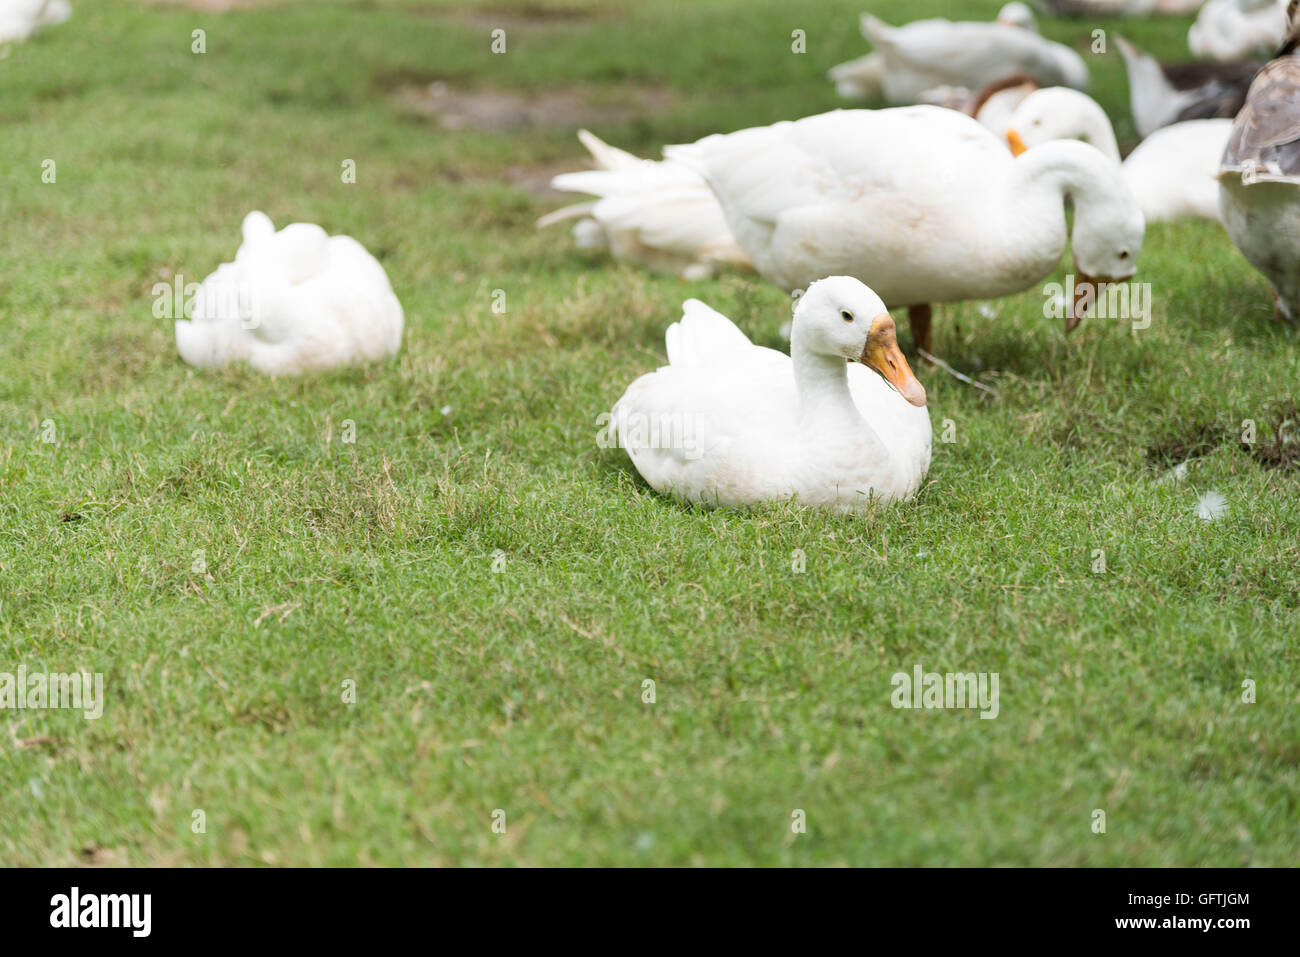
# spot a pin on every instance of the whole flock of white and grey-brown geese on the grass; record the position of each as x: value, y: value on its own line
x: 922, y: 202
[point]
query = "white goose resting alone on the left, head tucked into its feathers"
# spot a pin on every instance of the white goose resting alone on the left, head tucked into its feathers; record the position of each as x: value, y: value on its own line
x: 292, y: 302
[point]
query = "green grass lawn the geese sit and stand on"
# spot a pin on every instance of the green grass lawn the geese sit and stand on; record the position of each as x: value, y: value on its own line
x: 521, y: 690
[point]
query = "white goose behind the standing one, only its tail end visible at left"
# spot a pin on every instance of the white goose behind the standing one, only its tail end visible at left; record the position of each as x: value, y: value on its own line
x: 657, y: 214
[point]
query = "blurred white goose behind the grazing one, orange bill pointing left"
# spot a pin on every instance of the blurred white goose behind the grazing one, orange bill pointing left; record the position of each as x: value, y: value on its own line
x: 1173, y: 174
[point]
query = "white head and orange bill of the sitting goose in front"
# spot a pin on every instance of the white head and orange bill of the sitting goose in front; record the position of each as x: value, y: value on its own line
x: 840, y: 317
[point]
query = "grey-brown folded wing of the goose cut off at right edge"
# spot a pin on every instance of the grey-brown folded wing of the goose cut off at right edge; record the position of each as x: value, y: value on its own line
x: 1266, y: 141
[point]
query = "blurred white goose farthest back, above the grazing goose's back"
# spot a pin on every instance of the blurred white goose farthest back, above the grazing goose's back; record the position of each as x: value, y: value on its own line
x: 926, y: 54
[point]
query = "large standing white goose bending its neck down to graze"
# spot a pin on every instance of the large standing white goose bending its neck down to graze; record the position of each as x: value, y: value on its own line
x: 922, y: 203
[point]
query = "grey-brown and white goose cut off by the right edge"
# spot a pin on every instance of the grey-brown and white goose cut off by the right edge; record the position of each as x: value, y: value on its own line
x: 1260, y: 183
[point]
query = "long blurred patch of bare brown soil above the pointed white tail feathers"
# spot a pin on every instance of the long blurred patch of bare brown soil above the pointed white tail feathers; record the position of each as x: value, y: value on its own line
x: 509, y: 110
